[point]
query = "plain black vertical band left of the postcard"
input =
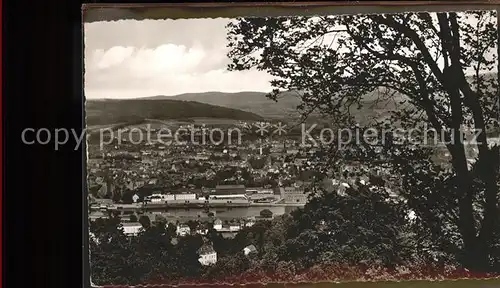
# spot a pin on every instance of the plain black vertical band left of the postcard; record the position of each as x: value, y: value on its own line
x: 42, y: 88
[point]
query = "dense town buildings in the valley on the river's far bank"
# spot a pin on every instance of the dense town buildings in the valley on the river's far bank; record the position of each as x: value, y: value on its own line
x: 189, y: 172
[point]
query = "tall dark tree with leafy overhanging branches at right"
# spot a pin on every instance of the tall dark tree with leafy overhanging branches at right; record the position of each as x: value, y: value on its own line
x: 430, y: 71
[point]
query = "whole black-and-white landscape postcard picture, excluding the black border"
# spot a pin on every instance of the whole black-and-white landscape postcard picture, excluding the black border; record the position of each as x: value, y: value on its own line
x: 360, y: 147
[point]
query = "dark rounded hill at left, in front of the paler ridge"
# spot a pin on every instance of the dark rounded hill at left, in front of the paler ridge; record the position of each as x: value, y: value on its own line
x: 102, y: 112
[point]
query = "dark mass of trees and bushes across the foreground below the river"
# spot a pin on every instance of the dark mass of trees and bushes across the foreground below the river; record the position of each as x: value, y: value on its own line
x: 356, y: 235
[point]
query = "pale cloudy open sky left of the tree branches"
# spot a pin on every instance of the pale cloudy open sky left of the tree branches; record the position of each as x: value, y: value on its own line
x: 132, y: 59
